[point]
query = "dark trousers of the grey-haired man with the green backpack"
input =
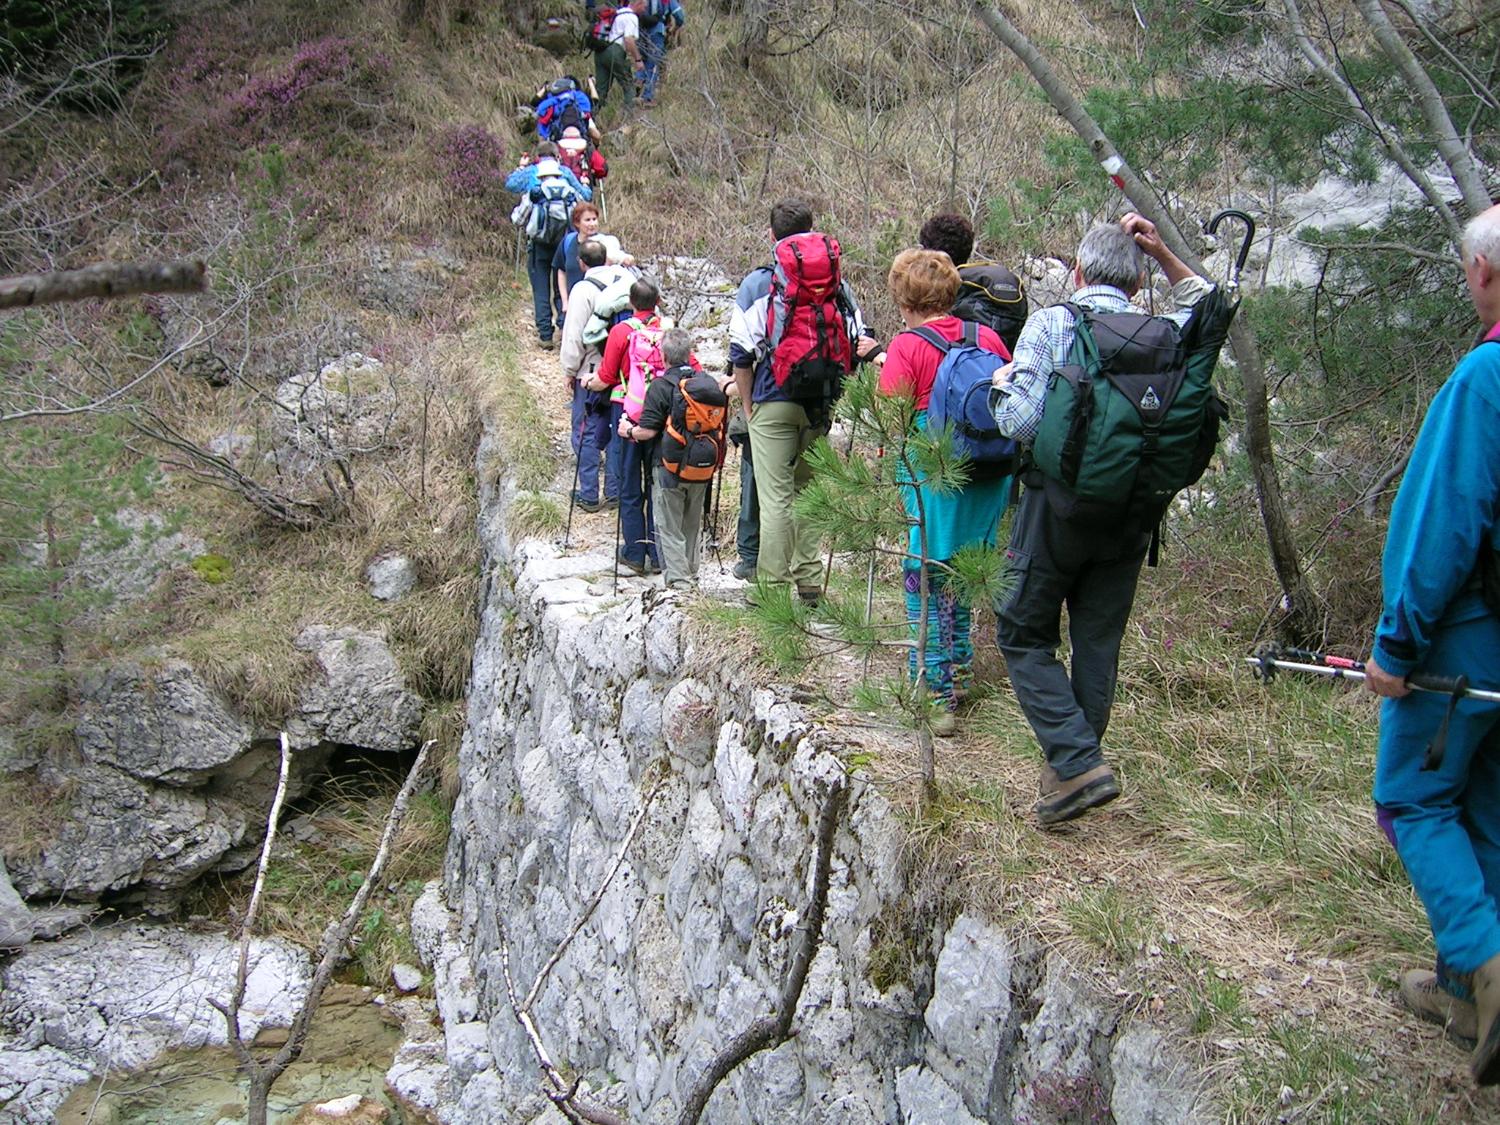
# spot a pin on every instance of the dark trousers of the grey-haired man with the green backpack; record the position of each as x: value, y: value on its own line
x: 1091, y: 568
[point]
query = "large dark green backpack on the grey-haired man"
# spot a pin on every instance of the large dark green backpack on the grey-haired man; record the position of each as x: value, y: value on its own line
x: 1132, y: 419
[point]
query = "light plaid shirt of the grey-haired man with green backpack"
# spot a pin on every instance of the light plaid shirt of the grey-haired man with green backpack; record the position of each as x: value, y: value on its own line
x: 1045, y: 347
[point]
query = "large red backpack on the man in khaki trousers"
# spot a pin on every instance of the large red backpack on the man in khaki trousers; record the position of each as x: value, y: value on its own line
x: 806, y: 322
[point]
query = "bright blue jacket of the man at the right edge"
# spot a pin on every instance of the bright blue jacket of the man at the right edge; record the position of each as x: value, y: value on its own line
x: 1444, y: 517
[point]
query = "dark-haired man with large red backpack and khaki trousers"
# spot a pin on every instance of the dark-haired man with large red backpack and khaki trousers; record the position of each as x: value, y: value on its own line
x: 787, y: 401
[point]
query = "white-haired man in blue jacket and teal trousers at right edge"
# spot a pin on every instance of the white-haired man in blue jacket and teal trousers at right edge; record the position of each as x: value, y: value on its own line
x: 1441, y: 578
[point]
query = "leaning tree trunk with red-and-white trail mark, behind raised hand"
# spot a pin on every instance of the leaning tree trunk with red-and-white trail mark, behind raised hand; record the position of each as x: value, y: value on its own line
x: 1301, y: 605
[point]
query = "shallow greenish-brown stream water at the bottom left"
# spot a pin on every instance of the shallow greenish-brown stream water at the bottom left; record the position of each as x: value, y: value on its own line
x: 349, y: 1051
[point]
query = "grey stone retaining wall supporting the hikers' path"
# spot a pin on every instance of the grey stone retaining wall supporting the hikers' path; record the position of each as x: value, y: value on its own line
x: 590, y: 710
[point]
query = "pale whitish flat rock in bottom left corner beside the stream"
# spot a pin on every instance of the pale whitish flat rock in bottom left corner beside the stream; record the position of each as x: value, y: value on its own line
x: 115, y: 1000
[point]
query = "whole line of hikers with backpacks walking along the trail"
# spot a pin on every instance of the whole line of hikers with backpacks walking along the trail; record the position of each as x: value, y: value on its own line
x: 1088, y: 418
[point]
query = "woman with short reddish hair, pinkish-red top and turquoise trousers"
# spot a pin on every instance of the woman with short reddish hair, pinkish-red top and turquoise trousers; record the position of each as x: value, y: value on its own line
x: 923, y: 284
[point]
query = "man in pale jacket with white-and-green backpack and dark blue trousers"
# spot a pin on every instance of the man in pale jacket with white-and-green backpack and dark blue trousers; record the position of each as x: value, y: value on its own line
x: 593, y: 418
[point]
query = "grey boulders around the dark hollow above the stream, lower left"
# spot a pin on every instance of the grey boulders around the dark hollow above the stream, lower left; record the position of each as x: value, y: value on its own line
x: 175, y: 784
